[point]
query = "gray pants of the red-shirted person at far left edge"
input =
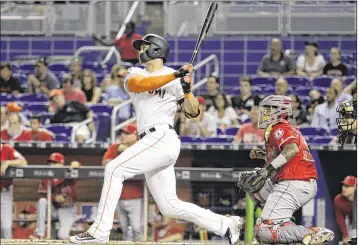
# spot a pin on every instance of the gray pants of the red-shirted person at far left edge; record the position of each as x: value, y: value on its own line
x: 6, y: 213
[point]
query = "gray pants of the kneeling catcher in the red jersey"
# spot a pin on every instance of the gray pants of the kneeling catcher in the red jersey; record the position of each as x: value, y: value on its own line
x: 274, y: 226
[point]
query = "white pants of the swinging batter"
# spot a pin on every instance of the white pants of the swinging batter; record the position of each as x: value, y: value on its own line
x: 155, y: 156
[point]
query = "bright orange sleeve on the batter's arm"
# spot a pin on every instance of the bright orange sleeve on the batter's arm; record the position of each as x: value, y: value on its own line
x: 137, y: 83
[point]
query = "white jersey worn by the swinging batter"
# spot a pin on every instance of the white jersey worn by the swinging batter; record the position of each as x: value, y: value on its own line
x: 155, y: 107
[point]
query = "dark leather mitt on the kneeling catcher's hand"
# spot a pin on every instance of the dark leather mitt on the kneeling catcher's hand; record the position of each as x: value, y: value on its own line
x: 252, y: 181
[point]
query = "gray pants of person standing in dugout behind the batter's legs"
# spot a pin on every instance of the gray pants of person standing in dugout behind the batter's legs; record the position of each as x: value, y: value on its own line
x: 130, y: 213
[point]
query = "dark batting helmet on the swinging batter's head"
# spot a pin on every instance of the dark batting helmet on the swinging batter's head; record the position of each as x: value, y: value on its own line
x: 158, y: 48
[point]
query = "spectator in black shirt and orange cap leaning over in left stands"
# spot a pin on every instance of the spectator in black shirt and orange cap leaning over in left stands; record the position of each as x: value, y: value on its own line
x: 71, y: 113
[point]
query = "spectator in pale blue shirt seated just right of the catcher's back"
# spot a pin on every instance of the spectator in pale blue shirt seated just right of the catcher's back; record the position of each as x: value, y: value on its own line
x: 325, y: 114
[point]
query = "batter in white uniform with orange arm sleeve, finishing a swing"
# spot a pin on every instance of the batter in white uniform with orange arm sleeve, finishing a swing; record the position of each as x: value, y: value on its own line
x: 156, y: 92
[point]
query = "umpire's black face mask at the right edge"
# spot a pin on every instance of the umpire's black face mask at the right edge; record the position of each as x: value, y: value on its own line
x: 346, y: 120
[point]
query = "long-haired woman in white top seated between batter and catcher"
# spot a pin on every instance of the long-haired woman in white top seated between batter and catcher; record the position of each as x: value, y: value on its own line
x: 223, y: 112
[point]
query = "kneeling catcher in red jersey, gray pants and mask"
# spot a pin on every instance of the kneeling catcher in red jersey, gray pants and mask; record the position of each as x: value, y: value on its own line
x: 288, y: 180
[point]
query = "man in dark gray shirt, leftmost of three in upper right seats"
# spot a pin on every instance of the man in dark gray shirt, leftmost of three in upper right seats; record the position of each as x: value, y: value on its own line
x: 276, y: 63
